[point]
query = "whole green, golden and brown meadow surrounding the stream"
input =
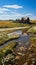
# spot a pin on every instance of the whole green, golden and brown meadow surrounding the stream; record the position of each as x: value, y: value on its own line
x: 7, y: 51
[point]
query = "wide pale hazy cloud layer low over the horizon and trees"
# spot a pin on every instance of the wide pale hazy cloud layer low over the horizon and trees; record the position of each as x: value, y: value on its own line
x: 14, y: 15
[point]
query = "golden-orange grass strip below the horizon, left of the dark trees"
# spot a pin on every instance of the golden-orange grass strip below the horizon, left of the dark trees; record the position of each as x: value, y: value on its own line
x: 10, y: 24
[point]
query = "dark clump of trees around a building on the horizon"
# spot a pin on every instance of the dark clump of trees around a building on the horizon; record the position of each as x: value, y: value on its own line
x: 24, y: 20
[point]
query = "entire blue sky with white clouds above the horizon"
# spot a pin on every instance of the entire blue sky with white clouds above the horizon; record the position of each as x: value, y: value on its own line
x: 15, y: 9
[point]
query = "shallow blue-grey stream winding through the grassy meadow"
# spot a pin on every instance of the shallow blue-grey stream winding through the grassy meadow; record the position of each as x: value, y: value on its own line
x: 22, y: 39
